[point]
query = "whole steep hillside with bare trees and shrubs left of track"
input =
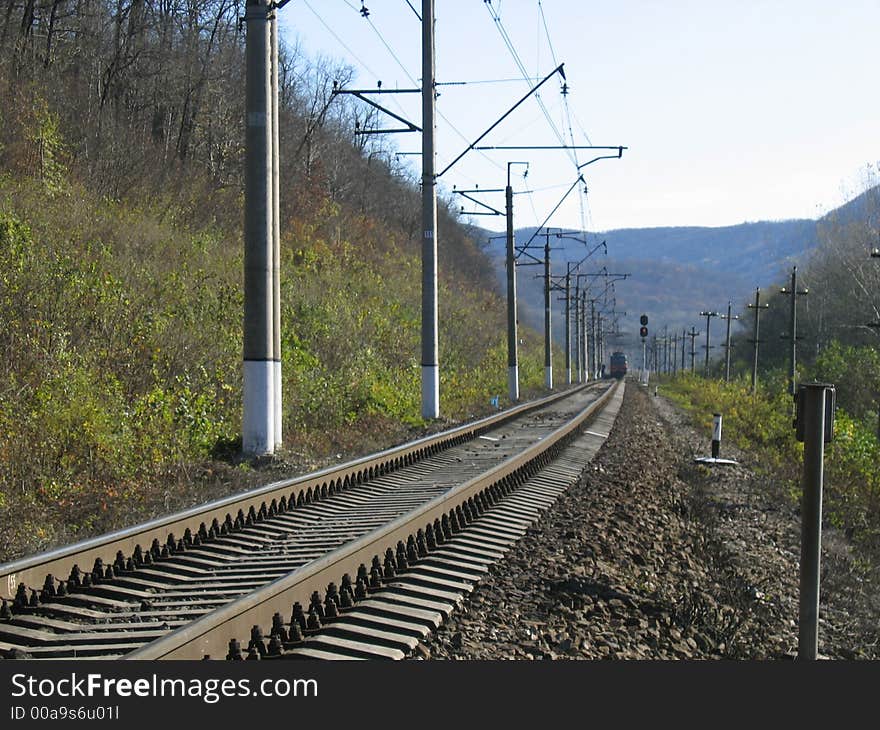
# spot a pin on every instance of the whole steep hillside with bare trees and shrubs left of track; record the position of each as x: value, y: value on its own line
x: 121, y: 151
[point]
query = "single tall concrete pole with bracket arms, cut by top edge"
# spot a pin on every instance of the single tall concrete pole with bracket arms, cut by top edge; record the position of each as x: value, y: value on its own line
x: 430, y: 359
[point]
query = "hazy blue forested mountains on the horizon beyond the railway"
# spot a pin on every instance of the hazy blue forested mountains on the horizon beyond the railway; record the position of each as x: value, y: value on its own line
x: 674, y: 273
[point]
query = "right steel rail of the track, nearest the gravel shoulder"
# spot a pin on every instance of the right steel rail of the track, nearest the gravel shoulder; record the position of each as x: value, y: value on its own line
x: 209, y: 636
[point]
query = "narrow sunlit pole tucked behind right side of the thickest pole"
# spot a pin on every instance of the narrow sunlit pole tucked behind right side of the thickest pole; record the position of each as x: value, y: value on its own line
x: 276, y: 233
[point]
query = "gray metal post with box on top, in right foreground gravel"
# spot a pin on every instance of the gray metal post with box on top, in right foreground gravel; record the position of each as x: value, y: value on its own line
x: 813, y: 413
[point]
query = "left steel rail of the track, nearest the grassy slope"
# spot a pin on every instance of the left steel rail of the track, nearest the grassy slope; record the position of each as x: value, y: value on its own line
x: 32, y: 570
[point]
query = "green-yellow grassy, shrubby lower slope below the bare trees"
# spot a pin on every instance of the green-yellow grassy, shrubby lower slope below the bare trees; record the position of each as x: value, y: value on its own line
x: 120, y: 348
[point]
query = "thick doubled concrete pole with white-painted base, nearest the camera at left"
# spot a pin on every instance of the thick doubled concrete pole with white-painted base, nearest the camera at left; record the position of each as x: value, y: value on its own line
x: 258, y: 428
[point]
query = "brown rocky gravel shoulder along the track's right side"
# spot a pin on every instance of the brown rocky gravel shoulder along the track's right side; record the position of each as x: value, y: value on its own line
x: 651, y: 556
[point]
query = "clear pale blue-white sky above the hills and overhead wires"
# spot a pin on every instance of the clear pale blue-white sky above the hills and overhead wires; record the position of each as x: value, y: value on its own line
x: 732, y: 112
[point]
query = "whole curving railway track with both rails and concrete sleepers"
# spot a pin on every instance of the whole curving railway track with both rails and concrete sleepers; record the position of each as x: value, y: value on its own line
x: 352, y: 562
